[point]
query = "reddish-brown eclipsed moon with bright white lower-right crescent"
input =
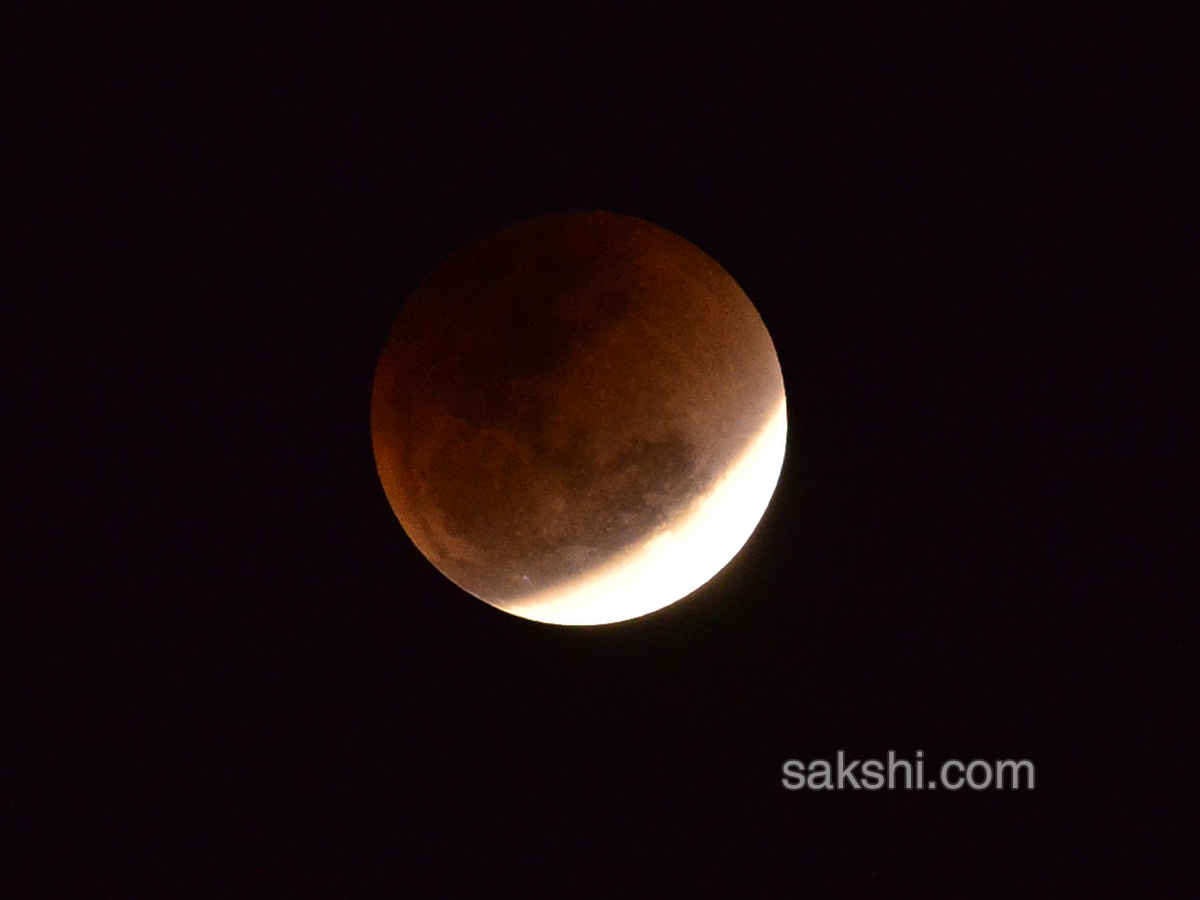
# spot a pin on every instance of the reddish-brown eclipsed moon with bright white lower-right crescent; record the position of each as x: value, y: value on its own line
x: 579, y: 419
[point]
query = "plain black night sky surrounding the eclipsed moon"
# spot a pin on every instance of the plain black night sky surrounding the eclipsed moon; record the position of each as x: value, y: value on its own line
x: 974, y: 241
